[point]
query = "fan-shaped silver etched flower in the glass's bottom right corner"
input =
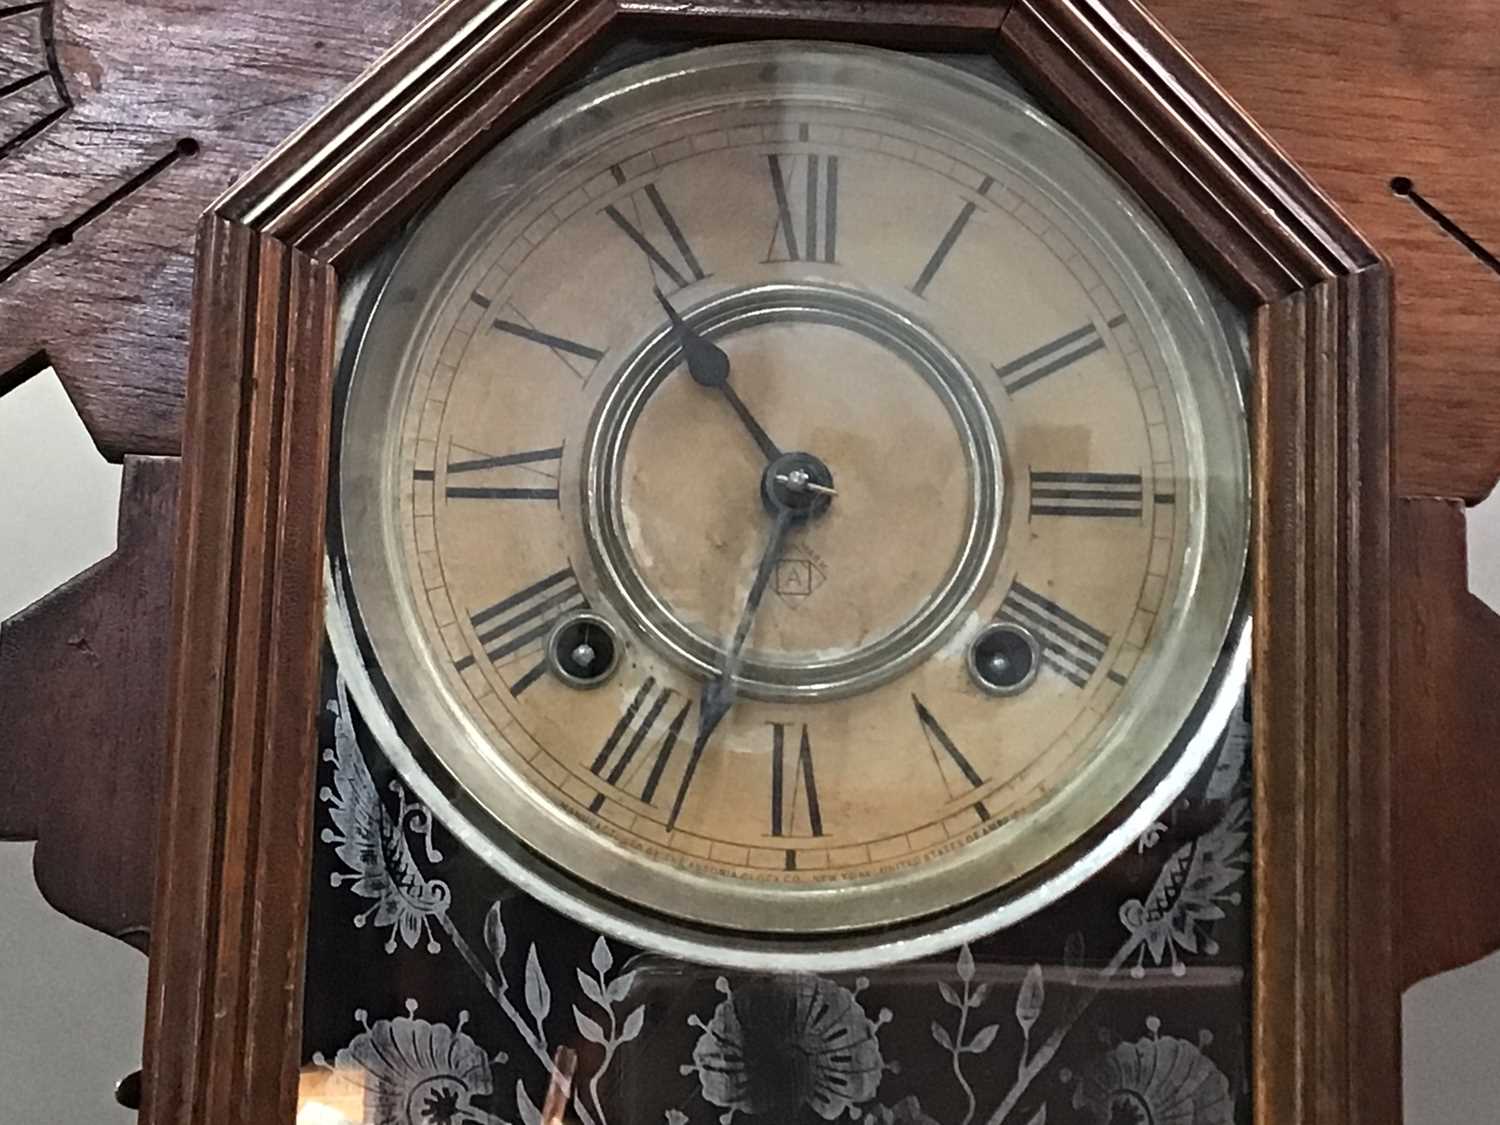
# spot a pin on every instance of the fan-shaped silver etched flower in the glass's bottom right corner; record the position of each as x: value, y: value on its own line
x: 1157, y: 1081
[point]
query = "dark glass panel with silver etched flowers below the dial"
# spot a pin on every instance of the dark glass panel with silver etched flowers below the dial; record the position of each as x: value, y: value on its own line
x: 439, y: 995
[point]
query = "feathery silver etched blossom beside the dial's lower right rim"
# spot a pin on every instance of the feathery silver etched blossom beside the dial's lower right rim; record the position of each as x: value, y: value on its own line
x: 1190, y: 893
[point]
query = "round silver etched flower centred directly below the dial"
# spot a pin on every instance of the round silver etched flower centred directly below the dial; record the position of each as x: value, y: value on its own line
x: 779, y: 1043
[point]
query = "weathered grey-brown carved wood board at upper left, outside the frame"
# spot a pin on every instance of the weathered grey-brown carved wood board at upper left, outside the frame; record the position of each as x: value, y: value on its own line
x: 110, y: 304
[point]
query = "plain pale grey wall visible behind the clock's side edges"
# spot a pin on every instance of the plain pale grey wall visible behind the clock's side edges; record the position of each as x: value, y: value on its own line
x: 71, y: 1001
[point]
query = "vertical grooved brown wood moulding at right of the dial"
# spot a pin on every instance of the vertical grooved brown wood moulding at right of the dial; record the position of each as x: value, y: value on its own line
x: 1325, y: 997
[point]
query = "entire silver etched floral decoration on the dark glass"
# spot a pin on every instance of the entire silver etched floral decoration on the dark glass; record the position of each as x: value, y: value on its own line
x: 776, y: 1048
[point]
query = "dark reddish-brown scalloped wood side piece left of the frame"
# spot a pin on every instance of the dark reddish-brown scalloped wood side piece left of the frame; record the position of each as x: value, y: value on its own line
x: 85, y: 707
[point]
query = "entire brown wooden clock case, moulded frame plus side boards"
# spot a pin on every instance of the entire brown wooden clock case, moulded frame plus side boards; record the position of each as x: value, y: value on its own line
x: 1361, y: 817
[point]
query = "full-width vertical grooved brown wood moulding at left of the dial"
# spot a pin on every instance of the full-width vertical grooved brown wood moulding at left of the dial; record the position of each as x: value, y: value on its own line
x: 224, y: 1003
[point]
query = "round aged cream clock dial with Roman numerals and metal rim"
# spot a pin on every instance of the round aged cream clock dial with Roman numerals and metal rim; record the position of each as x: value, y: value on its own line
x: 866, y: 454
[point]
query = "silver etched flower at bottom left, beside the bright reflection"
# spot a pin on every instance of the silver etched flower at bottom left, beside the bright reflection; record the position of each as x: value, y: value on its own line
x: 418, y: 1073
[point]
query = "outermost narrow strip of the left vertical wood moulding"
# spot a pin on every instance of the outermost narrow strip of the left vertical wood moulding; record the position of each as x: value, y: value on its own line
x: 190, y: 866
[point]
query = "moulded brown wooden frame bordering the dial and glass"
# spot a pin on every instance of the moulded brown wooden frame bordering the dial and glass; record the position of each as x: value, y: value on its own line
x: 224, y: 1004
